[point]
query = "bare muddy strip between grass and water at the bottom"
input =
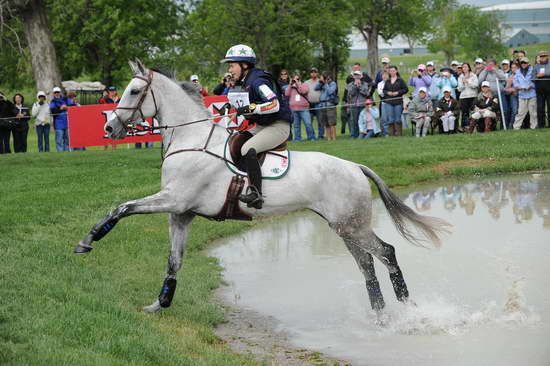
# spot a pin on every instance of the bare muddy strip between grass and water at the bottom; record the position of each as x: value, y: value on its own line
x: 250, y: 333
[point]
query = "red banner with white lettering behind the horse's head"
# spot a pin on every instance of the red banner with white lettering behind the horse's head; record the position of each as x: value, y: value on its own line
x: 86, y: 124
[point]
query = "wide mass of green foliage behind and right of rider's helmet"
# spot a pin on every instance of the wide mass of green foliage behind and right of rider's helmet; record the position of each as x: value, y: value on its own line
x: 282, y: 33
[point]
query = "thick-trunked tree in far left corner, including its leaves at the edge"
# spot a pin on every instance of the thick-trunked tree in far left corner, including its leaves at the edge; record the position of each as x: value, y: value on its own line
x: 38, y: 38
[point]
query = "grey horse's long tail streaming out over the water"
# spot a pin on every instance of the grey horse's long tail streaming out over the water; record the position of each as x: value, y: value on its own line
x: 402, y: 215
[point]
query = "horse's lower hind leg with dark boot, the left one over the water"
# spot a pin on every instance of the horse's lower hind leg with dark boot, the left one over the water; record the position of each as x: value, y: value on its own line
x: 366, y: 265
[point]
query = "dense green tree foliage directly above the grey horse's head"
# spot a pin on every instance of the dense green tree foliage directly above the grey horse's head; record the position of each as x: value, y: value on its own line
x: 103, y: 35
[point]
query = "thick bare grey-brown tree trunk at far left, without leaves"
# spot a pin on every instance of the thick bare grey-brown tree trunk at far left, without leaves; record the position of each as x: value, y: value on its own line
x: 39, y: 37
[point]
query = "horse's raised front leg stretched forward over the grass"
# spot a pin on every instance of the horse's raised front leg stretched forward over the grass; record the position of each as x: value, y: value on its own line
x: 160, y: 202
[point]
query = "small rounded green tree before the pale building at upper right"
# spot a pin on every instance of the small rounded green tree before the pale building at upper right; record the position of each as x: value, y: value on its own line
x: 465, y: 30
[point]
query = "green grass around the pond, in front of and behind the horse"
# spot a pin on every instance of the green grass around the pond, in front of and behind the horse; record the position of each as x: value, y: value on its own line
x: 58, y: 308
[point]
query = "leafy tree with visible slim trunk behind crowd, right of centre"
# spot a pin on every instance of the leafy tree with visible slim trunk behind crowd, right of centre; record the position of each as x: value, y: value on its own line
x: 383, y: 18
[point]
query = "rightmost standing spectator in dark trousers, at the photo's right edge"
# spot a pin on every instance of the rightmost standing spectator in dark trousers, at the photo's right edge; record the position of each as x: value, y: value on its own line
x: 541, y: 74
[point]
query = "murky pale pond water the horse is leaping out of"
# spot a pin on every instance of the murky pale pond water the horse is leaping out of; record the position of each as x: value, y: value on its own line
x: 482, y: 299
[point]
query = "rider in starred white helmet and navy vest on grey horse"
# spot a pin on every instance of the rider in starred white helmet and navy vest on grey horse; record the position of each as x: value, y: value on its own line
x: 261, y: 100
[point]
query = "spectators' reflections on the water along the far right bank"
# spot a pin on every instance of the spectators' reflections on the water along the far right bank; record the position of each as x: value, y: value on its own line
x: 526, y: 197
